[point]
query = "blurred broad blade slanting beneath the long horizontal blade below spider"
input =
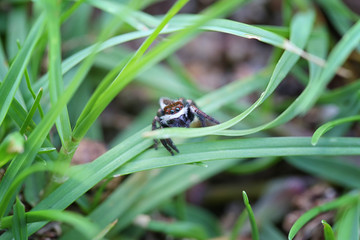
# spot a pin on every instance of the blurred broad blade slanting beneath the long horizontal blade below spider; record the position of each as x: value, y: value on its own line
x: 164, y: 185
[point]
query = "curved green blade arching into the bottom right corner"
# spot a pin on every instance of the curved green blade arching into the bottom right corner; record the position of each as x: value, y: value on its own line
x: 344, y: 200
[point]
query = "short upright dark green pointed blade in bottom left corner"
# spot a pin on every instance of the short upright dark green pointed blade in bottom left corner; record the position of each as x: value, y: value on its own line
x: 19, y: 228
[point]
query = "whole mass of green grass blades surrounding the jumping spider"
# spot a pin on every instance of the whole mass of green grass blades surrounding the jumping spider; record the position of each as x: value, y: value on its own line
x: 55, y: 70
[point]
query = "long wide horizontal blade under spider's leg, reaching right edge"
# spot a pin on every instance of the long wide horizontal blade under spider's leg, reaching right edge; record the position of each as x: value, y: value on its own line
x: 240, y: 148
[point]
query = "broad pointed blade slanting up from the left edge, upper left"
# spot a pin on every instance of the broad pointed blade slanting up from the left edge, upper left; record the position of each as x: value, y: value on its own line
x: 14, y: 75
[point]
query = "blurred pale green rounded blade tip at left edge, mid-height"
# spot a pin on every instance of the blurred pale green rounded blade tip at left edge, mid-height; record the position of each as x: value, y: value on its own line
x: 12, y: 145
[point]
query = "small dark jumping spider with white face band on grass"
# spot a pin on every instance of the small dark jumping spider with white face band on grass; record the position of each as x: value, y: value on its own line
x: 178, y: 113
